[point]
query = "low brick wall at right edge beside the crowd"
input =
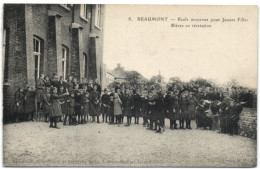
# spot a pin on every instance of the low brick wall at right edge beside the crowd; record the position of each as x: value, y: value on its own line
x: 248, y: 123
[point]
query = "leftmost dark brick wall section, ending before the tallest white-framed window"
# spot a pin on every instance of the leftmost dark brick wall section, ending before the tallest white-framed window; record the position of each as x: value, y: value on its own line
x: 15, y: 54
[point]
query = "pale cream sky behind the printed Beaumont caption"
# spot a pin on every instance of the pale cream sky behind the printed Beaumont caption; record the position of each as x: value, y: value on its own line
x: 227, y: 50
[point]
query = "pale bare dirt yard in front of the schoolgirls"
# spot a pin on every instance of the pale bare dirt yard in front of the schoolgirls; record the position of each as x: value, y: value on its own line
x: 92, y: 144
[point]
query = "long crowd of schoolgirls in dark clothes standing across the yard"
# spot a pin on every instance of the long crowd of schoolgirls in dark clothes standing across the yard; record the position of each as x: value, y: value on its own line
x: 68, y: 101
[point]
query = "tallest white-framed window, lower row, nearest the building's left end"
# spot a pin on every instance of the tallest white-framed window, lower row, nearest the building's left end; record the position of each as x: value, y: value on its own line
x: 37, y: 57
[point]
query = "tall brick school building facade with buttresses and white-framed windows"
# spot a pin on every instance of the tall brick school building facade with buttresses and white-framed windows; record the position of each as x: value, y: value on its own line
x: 65, y: 39
